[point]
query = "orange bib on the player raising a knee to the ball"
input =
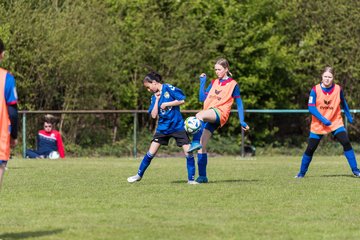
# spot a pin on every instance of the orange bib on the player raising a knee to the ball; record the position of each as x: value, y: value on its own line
x: 220, y: 97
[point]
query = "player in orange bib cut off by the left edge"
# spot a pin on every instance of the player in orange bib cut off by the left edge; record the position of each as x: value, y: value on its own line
x: 8, y: 114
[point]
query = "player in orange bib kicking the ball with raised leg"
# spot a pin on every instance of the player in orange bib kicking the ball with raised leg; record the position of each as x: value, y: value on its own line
x: 218, y: 99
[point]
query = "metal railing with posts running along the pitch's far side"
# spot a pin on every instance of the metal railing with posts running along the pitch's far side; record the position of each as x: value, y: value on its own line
x: 136, y: 113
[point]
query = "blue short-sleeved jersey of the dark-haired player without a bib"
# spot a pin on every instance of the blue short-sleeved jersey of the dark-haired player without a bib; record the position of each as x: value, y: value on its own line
x: 170, y: 119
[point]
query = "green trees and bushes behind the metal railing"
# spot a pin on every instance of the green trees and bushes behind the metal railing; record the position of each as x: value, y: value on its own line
x: 69, y: 55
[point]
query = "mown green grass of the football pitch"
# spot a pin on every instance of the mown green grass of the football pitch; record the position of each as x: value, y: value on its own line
x: 256, y: 198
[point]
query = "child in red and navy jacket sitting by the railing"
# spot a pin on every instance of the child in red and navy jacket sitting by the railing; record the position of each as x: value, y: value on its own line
x: 48, y: 140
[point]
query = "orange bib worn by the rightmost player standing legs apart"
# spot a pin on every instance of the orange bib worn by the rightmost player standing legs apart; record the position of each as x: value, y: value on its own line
x: 328, y: 105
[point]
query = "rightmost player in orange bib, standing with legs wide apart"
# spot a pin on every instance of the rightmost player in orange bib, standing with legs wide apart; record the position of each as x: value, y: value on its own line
x: 324, y: 105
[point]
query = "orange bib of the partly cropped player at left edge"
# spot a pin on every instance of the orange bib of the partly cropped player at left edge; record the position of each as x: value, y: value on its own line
x: 4, y: 120
